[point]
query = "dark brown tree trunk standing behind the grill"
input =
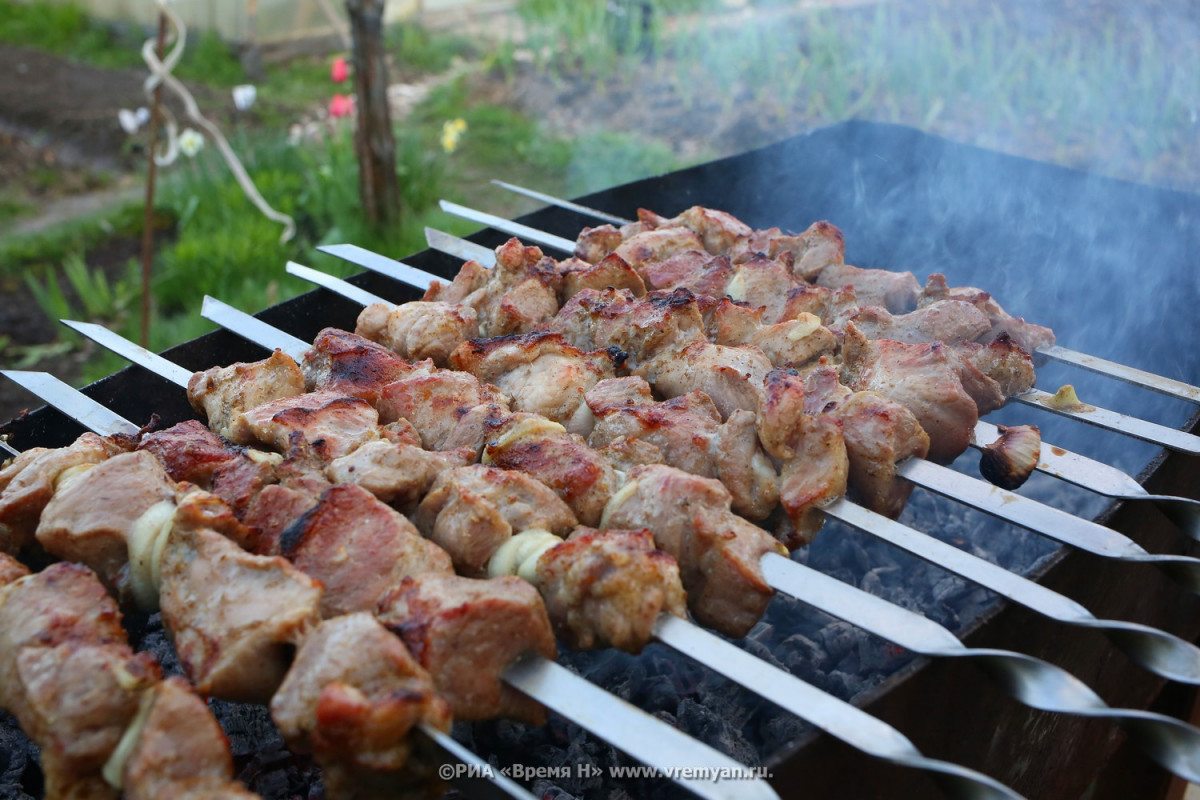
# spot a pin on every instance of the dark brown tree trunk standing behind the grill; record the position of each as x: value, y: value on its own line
x: 374, y: 141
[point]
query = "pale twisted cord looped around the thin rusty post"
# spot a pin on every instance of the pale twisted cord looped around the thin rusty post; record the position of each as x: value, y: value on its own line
x: 160, y: 74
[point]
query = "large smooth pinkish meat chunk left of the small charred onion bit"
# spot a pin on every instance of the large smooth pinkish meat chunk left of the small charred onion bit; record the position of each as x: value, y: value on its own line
x: 925, y: 378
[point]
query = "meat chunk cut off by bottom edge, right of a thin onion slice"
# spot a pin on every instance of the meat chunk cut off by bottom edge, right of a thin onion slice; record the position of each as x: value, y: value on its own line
x: 181, y: 750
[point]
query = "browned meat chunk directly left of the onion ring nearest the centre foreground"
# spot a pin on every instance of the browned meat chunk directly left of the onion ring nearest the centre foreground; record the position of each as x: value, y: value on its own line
x: 471, y: 512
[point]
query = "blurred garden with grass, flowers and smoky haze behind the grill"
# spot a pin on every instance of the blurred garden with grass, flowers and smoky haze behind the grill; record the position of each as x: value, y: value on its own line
x: 566, y: 98
